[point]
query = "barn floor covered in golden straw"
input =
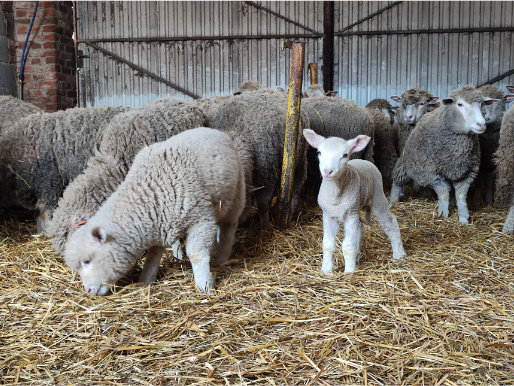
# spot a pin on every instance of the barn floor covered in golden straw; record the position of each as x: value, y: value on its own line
x: 445, y: 316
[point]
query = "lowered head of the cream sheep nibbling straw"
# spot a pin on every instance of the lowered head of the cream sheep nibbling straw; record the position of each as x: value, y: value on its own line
x: 96, y: 256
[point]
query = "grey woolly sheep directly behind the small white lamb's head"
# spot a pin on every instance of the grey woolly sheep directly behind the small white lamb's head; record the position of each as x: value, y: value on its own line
x: 340, y: 118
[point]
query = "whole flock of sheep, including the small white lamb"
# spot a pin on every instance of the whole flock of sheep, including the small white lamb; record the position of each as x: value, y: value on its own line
x: 109, y: 183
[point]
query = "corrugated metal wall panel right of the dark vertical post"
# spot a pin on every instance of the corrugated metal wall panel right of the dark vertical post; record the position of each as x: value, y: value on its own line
x: 377, y: 66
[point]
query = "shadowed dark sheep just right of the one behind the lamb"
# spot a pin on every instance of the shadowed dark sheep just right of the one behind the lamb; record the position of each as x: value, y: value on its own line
x: 384, y: 151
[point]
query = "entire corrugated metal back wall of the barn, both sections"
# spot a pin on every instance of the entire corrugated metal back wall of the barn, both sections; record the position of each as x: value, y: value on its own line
x: 210, y: 48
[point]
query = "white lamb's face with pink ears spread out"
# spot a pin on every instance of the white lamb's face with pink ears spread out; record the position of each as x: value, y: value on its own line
x: 333, y: 152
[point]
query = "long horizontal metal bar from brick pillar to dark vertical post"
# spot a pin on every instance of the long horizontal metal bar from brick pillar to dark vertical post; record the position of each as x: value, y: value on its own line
x: 193, y: 38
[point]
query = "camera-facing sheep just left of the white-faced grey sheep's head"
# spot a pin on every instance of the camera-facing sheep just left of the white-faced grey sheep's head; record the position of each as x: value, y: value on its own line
x: 414, y: 103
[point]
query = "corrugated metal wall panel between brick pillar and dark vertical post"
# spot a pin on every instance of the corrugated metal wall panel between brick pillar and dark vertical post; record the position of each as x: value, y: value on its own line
x: 217, y: 54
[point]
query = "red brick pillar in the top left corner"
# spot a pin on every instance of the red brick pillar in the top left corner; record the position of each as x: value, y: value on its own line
x: 49, y: 70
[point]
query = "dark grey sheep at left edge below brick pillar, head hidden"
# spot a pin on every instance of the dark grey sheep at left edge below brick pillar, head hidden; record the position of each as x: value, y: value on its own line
x: 42, y: 153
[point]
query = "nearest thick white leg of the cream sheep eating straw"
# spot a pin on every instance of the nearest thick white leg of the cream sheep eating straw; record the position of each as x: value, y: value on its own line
x: 199, y: 244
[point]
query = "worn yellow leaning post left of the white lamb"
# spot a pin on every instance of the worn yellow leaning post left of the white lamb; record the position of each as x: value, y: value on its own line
x: 291, y: 133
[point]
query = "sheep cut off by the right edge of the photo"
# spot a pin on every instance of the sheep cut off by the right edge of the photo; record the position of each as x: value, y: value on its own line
x: 504, y: 160
